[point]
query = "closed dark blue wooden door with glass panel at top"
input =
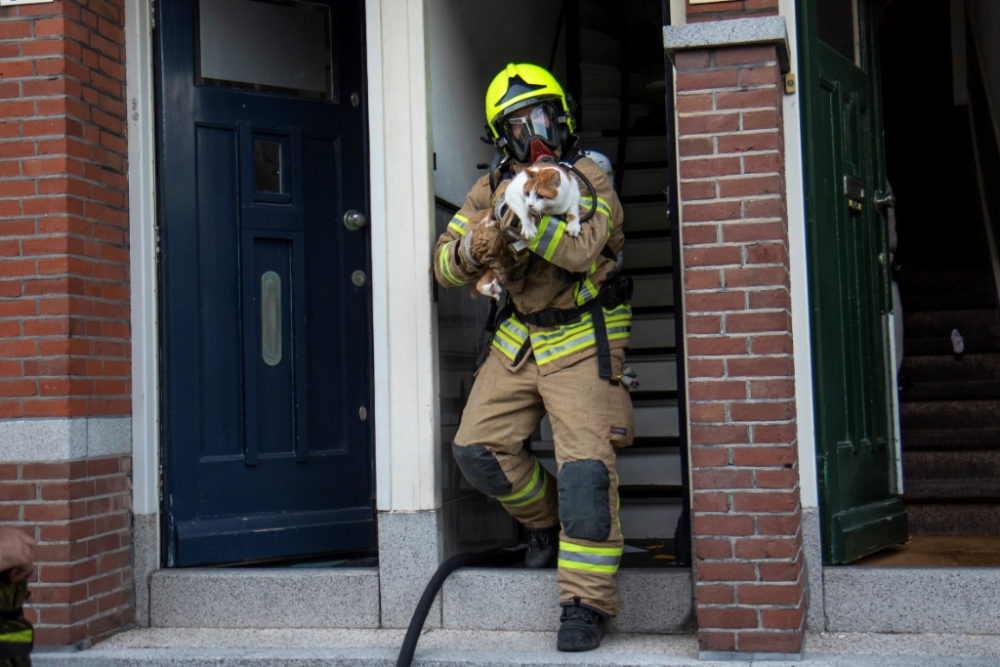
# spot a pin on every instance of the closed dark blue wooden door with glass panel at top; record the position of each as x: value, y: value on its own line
x: 266, y: 329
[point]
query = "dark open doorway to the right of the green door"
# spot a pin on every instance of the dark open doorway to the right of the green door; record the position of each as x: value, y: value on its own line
x: 940, y: 148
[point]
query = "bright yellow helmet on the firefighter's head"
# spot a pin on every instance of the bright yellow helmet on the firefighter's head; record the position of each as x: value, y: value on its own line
x: 520, y: 86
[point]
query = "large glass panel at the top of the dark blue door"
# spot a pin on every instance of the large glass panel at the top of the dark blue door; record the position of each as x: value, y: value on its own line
x: 269, y: 46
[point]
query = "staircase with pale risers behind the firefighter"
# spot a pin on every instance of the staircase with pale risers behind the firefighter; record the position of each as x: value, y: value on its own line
x: 650, y: 472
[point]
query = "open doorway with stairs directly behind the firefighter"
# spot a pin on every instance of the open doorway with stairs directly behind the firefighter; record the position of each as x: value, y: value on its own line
x: 609, y: 57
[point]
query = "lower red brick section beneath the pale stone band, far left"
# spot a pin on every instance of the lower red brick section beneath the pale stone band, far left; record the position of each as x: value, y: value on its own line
x: 80, y: 514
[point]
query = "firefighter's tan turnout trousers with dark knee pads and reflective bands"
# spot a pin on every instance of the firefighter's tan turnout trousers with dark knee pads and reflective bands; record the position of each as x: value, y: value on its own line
x: 590, y: 418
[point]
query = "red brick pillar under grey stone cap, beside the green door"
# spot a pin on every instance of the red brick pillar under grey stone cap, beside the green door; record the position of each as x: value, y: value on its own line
x: 750, y: 580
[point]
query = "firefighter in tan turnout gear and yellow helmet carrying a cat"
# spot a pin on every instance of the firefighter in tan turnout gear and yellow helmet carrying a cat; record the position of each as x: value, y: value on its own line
x: 558, y: 346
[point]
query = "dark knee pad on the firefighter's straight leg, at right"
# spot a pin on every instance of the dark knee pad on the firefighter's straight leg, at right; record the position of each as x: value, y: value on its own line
x: 584, y: 509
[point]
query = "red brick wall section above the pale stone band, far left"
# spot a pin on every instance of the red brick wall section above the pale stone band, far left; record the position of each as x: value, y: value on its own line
x: 64, y: 292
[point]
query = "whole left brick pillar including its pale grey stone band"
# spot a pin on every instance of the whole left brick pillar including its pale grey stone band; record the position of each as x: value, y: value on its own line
x: 64, y: 310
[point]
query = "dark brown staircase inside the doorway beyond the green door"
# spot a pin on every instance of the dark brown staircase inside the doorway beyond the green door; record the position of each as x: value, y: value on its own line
x: 949, y: 402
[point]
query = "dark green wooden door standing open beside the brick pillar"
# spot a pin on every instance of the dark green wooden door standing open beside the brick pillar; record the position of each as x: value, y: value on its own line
x: 849, y: 278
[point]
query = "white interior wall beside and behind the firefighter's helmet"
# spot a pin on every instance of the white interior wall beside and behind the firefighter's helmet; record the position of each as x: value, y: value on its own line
x: 469, y: 43
